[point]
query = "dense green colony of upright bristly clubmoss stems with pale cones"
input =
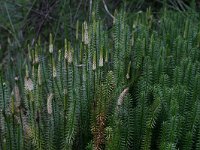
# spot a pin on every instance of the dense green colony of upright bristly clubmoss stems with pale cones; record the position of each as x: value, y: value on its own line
x: 130, y: 87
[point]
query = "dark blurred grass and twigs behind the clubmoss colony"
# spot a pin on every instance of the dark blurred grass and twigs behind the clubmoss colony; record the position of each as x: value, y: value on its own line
x: 22, y: 22
